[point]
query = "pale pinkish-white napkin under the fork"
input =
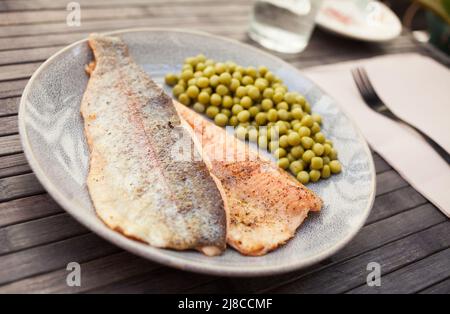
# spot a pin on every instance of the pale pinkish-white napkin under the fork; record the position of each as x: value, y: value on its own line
x: 417, y: 89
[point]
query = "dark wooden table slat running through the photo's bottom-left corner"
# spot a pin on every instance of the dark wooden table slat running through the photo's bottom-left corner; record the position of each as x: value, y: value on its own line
x: 95, y: 273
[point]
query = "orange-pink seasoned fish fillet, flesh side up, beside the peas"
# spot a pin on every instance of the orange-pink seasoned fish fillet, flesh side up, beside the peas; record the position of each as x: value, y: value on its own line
x: 265, y: 205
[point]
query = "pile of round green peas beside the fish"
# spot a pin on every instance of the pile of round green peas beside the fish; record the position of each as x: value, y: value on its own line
x: 262, y: 110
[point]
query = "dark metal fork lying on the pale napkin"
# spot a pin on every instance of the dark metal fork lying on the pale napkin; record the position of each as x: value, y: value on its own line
x: 372, y: 99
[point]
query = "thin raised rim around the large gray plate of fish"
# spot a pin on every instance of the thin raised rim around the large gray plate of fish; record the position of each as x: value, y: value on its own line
x: 157, y: 254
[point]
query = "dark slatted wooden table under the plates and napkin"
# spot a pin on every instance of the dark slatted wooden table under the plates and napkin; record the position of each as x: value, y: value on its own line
x: 406, y: 234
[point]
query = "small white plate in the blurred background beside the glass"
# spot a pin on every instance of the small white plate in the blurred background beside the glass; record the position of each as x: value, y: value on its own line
x: 361, y: 19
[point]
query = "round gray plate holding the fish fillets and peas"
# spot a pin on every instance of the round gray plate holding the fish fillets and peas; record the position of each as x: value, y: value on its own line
x: 53, y: 141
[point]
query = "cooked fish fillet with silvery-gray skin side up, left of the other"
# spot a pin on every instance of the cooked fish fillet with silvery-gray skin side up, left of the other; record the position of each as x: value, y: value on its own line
x: 137, y: 183
